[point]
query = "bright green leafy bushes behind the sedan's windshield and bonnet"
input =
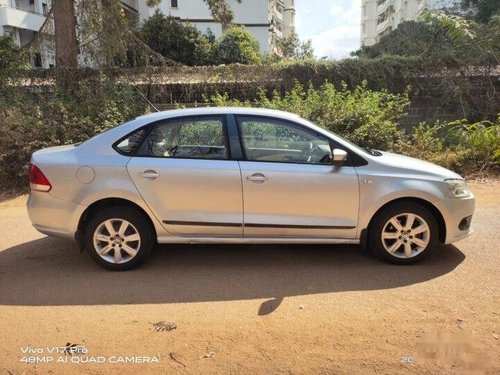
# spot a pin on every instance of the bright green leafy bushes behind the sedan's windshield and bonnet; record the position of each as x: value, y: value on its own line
x: 370, y: 119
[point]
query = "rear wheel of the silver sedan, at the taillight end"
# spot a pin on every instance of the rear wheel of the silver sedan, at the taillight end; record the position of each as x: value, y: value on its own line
x: 119, y: 238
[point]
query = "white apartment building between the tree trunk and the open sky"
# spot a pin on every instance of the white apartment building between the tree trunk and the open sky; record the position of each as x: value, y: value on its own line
x: 264, y: 19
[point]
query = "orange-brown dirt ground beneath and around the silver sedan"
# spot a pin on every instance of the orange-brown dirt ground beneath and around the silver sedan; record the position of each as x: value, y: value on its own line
x: 251, y: 309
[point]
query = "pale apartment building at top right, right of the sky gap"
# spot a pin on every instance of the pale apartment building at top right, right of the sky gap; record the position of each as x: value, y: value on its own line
x: 380, y: 17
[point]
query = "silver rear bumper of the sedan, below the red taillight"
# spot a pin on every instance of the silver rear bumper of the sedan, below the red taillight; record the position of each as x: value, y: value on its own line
x: 52, y: 216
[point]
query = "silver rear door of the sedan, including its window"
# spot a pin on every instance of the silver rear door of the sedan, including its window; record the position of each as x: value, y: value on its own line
x: 183, y: 172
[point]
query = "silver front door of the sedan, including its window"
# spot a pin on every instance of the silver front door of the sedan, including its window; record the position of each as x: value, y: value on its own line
x: 290, y: 187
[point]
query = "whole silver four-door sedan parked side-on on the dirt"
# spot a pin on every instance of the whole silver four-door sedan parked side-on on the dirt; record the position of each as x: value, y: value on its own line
x: 241, y: 175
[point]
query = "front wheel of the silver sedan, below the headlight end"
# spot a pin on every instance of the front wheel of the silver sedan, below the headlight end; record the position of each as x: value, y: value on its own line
x: 403, y: 233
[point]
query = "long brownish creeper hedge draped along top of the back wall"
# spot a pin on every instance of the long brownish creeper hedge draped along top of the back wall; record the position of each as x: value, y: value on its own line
x: 470, y: 90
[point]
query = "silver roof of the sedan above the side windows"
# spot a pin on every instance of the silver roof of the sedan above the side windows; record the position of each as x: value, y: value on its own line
x: 217, y: 111
